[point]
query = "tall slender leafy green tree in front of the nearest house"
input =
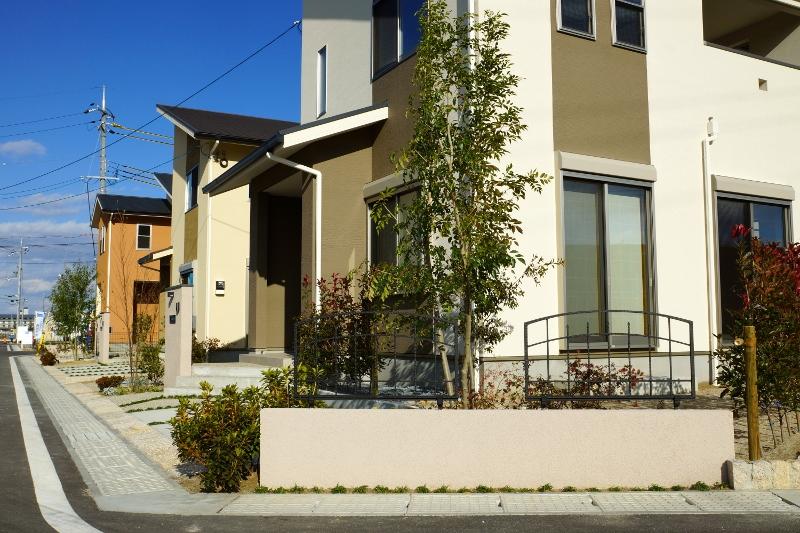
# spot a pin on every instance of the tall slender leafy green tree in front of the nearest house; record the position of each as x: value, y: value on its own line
x: 459, y: 236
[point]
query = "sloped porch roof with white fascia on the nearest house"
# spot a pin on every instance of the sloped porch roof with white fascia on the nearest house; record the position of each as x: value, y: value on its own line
x: 288, y: 141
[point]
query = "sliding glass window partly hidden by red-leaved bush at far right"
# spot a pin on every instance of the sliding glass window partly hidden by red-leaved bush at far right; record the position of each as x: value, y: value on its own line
x: 768, y: 221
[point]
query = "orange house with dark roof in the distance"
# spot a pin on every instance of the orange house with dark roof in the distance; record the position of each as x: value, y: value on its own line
x: 129, y: 229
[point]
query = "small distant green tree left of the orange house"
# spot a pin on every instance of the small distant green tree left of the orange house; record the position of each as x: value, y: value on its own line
x: 72, y: 300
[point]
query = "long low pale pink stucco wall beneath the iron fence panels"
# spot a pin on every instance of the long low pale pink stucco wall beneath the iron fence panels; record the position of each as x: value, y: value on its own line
x: 582, y: 448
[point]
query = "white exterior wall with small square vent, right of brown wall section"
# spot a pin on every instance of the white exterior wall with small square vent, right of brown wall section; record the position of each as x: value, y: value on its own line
x: 688, y: 83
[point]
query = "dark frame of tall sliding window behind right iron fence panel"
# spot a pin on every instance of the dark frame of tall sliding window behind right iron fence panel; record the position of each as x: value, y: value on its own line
x: 650, y: 234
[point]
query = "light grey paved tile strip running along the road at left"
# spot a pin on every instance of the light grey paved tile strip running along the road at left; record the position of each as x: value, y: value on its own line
x: 112, y: 466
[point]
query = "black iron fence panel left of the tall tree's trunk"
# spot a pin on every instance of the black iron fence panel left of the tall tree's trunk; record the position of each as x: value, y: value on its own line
x: 386, y: 355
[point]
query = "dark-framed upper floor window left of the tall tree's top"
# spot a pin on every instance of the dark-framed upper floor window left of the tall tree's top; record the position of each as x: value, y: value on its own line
x: 395, y: 32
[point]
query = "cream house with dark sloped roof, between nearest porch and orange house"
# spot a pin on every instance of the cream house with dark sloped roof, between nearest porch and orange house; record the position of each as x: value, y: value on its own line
x: 211, y: 236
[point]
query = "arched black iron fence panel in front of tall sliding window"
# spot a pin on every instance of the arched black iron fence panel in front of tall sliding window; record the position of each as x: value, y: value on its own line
x: 609, y: 355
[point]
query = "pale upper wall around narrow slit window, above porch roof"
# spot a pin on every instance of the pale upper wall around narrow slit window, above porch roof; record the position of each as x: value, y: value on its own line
x: 345, y: 28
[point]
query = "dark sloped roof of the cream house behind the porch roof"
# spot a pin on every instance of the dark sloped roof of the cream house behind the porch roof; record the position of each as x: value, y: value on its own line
x: 240, y: 129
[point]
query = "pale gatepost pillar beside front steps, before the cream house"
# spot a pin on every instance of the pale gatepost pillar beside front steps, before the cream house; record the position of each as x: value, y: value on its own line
x: 178, y: 335
